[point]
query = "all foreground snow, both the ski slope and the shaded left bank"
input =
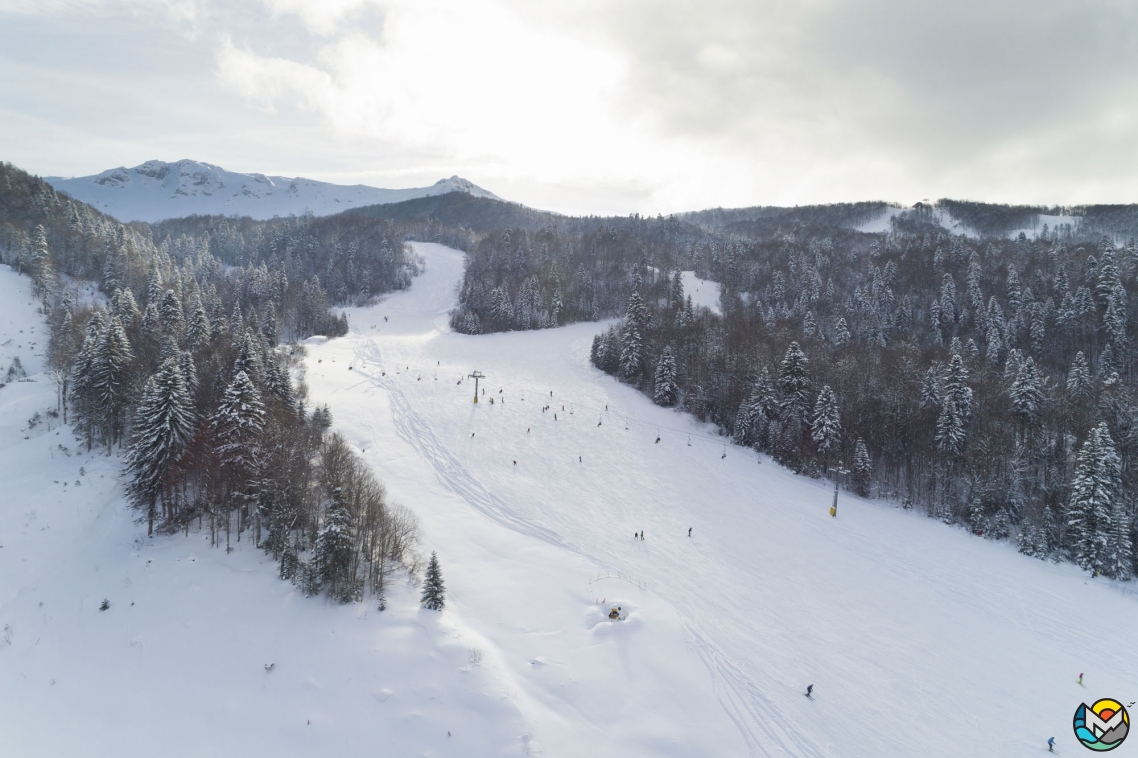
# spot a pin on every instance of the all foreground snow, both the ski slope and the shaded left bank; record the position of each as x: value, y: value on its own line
x: 918, y: 638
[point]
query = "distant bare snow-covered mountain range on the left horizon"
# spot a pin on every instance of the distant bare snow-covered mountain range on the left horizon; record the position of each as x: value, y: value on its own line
x: 159, y: 191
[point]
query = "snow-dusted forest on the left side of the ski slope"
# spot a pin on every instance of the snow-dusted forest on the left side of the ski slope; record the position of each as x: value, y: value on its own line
x: 178, y: 362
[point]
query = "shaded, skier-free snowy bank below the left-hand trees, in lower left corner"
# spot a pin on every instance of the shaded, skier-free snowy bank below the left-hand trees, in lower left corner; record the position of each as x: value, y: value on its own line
x: 176, y: 668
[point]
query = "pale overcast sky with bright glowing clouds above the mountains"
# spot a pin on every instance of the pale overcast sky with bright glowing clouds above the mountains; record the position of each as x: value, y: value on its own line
x: 592, y: 106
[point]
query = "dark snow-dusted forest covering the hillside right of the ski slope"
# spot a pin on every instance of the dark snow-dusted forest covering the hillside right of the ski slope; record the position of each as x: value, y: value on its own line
x: 988, y: 382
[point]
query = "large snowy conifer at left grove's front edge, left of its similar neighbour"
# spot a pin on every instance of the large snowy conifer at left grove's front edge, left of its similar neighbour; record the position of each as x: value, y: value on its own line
x: 164, y: 424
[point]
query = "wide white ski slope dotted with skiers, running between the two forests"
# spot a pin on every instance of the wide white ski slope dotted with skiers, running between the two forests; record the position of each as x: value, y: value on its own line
x: 919, y: 638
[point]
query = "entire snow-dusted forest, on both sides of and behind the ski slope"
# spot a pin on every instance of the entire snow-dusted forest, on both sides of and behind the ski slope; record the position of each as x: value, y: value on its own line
x: 987, y: 381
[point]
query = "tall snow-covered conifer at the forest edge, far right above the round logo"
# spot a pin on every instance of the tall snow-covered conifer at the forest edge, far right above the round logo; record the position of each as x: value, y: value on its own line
x: 1096, y: 485
